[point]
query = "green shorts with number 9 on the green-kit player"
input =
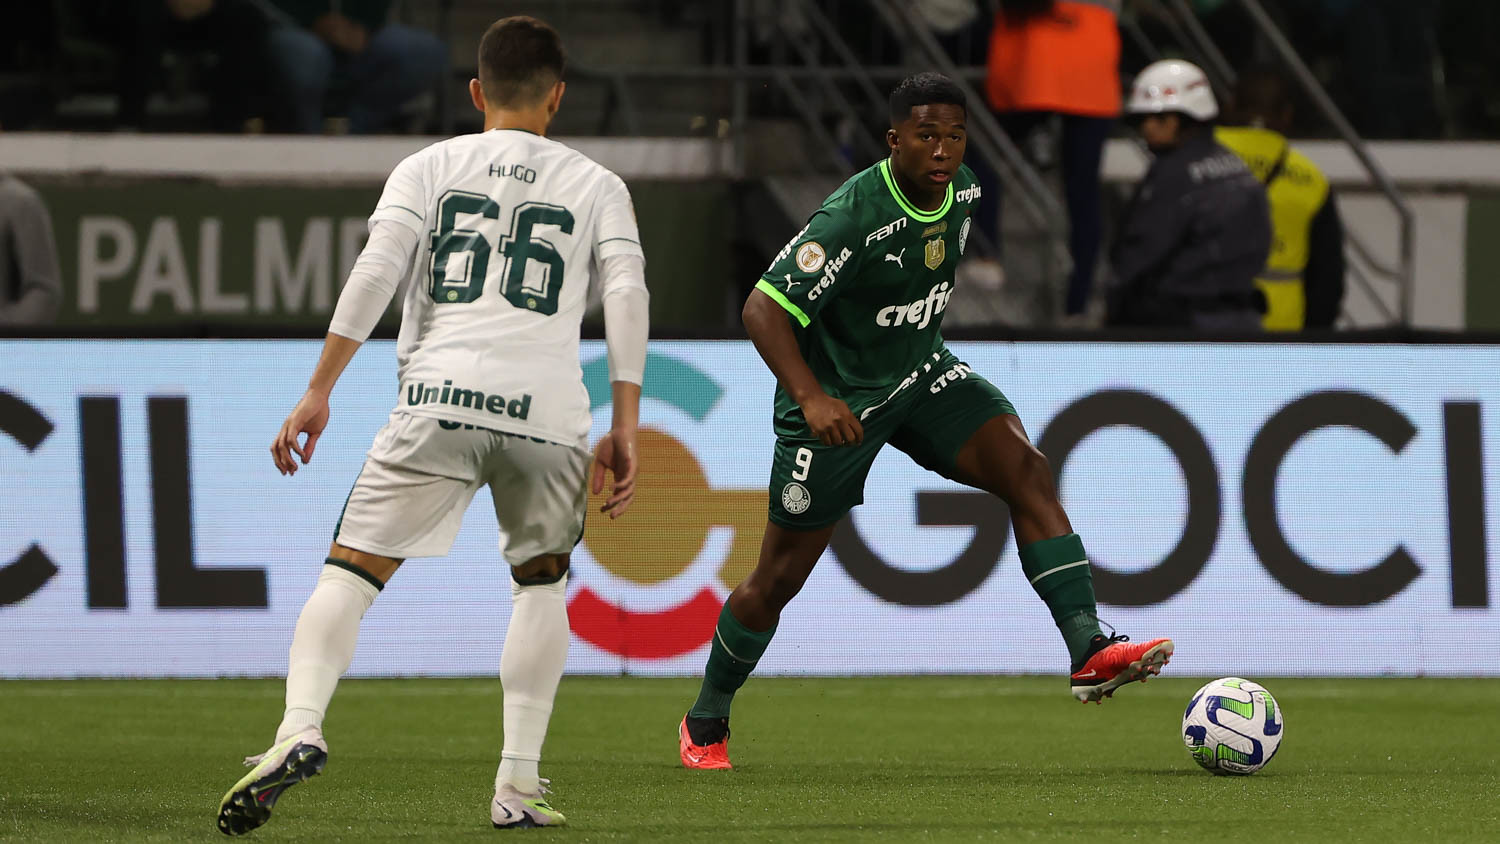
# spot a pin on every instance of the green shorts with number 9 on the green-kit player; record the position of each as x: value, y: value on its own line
x: 929, y: 418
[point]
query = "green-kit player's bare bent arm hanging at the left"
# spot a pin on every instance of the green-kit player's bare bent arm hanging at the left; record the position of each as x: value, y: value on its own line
x: 772, y: 332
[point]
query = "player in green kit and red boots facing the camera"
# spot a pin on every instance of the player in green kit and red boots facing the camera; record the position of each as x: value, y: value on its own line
x: 848, y: 319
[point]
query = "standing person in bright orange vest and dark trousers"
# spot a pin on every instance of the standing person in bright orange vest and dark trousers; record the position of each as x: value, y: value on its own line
x: 1063, y: 58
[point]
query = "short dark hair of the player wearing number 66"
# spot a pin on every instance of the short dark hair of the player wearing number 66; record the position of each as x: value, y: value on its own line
x: 520, y: 61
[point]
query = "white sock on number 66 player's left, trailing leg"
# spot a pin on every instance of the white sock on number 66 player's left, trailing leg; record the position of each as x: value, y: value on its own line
x: 323, y: 647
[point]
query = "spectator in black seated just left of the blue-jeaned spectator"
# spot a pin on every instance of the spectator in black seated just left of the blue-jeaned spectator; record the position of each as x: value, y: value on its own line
x: 230, y: 34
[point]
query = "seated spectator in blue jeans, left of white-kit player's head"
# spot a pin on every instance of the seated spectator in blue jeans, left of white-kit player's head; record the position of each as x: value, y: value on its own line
x: 350, y: 44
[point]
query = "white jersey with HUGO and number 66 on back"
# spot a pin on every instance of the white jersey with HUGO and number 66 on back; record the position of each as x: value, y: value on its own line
x: 511, y: 227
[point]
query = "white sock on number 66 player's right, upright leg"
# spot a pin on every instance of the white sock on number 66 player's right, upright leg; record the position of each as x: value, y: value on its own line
x: 530, y: 669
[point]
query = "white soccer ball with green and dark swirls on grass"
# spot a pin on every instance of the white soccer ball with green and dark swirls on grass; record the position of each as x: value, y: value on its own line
x: 1232, y: 726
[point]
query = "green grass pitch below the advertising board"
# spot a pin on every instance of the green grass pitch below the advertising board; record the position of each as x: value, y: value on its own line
x: 901, y: 759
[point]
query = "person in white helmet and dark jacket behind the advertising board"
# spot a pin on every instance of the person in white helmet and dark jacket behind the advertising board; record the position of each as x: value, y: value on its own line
x: 1198, y: 232
